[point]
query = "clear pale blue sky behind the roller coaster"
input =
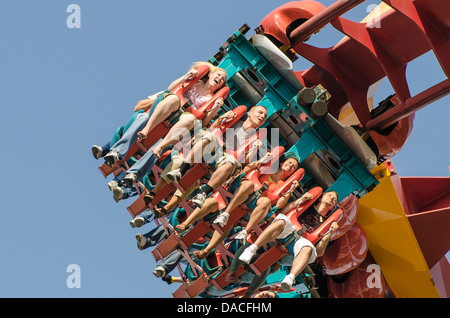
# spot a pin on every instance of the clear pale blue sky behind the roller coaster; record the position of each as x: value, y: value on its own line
x: 63, y: 90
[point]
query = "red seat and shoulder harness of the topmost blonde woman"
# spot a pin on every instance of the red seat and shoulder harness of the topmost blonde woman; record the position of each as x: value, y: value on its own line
x: 163, y: 128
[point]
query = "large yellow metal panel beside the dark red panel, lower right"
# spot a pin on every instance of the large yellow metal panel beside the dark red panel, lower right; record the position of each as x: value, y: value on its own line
x: 392, y: 241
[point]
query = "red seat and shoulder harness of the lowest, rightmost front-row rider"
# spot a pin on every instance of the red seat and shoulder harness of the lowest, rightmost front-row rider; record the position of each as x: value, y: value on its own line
x: 311, y: 230
